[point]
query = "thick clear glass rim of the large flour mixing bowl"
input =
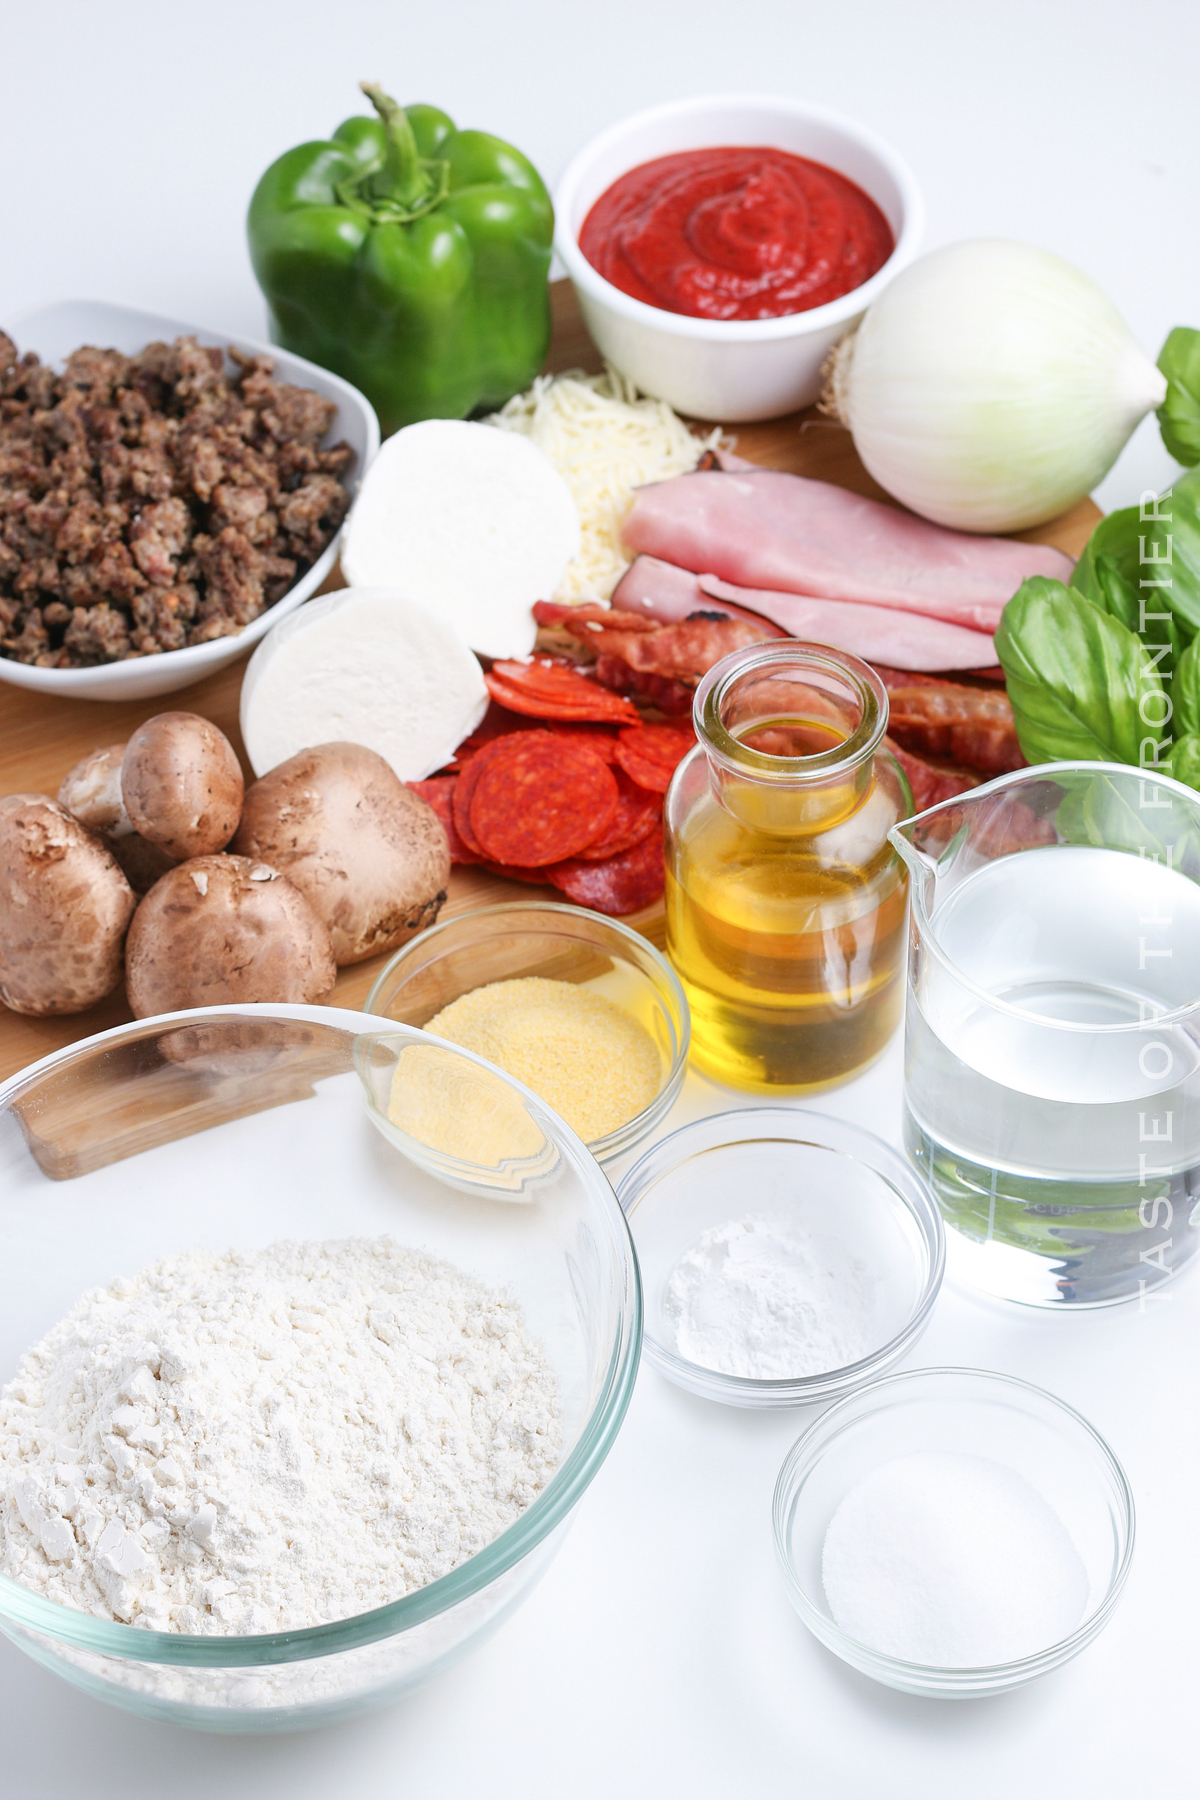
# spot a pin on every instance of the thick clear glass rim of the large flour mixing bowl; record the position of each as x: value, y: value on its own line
x: 136, y: 1644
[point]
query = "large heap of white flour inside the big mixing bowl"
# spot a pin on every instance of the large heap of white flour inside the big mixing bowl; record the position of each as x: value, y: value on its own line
x: 271, y: 1441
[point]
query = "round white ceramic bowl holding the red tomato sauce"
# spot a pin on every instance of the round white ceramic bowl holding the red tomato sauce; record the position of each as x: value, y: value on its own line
x: 712, y: 368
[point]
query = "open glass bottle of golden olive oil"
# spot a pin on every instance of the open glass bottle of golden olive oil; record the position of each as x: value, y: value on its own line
x: 785, y: 899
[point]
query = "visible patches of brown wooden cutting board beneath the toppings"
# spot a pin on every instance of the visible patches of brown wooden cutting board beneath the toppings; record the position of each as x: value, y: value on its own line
x: 42, y: 735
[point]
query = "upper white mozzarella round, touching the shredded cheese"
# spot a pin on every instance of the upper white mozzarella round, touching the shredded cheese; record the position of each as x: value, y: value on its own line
x: 474, y: 521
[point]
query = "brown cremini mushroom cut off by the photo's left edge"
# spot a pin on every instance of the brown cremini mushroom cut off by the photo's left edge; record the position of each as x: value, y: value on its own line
x: 64, y: 910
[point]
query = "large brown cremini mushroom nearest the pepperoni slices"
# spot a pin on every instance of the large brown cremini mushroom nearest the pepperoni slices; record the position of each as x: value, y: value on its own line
x: 370, y: 854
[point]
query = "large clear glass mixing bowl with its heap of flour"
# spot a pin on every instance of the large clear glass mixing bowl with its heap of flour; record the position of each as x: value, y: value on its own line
x: 247, y: 1131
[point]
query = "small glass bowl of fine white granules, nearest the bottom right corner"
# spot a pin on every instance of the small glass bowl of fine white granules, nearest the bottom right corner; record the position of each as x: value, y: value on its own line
x: 954, y: 1533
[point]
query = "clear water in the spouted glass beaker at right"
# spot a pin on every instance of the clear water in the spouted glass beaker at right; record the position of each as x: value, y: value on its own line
x: 1066, y: 1155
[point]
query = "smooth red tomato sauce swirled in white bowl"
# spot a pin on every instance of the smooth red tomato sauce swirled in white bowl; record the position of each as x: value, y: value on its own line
x: 735, y: 233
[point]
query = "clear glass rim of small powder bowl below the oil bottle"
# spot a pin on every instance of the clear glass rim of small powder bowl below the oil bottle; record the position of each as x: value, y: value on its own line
x: 798, y: 1126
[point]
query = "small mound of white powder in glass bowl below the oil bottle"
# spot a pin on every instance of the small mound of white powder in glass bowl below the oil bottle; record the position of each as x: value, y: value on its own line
x: 767, y: 1300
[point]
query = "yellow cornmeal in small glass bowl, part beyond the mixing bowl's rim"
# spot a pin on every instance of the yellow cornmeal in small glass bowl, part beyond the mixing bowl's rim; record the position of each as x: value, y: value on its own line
x: 586, y: 1057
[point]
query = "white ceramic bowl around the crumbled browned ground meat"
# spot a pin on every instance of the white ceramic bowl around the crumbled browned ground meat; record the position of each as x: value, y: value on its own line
x: 53, y: 332
